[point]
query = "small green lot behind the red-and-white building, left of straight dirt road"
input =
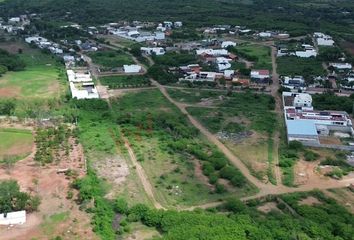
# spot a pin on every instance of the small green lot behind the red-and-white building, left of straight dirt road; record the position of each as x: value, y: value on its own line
x: 260, y: 55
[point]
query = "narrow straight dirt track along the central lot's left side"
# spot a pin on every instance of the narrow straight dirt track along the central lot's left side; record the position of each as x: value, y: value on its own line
x: 142, y: 175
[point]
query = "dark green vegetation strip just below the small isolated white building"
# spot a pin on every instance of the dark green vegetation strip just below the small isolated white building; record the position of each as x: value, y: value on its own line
x: 115, y: 82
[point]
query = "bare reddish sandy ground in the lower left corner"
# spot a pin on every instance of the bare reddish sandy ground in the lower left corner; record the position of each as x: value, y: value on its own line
x: 52, y: 189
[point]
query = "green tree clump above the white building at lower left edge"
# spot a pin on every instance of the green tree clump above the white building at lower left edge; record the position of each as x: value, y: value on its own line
x: 12, y: 199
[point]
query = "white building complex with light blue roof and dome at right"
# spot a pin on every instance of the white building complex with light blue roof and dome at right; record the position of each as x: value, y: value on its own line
x: 306, y: 125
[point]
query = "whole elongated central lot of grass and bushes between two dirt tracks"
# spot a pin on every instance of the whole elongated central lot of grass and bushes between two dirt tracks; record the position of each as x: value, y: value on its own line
x: 173, y: 154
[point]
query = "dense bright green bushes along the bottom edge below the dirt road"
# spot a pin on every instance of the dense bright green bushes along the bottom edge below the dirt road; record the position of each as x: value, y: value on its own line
x: 245, y: 221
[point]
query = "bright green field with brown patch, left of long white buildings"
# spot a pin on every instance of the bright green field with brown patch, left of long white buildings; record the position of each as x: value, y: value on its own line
x: 42, y: 78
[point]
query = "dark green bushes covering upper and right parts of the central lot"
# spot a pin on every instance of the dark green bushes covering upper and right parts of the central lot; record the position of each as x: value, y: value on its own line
x: 148, y: 116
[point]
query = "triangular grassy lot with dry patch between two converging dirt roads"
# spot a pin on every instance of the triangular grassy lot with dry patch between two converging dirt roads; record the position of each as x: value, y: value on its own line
x: 243, y: 121
